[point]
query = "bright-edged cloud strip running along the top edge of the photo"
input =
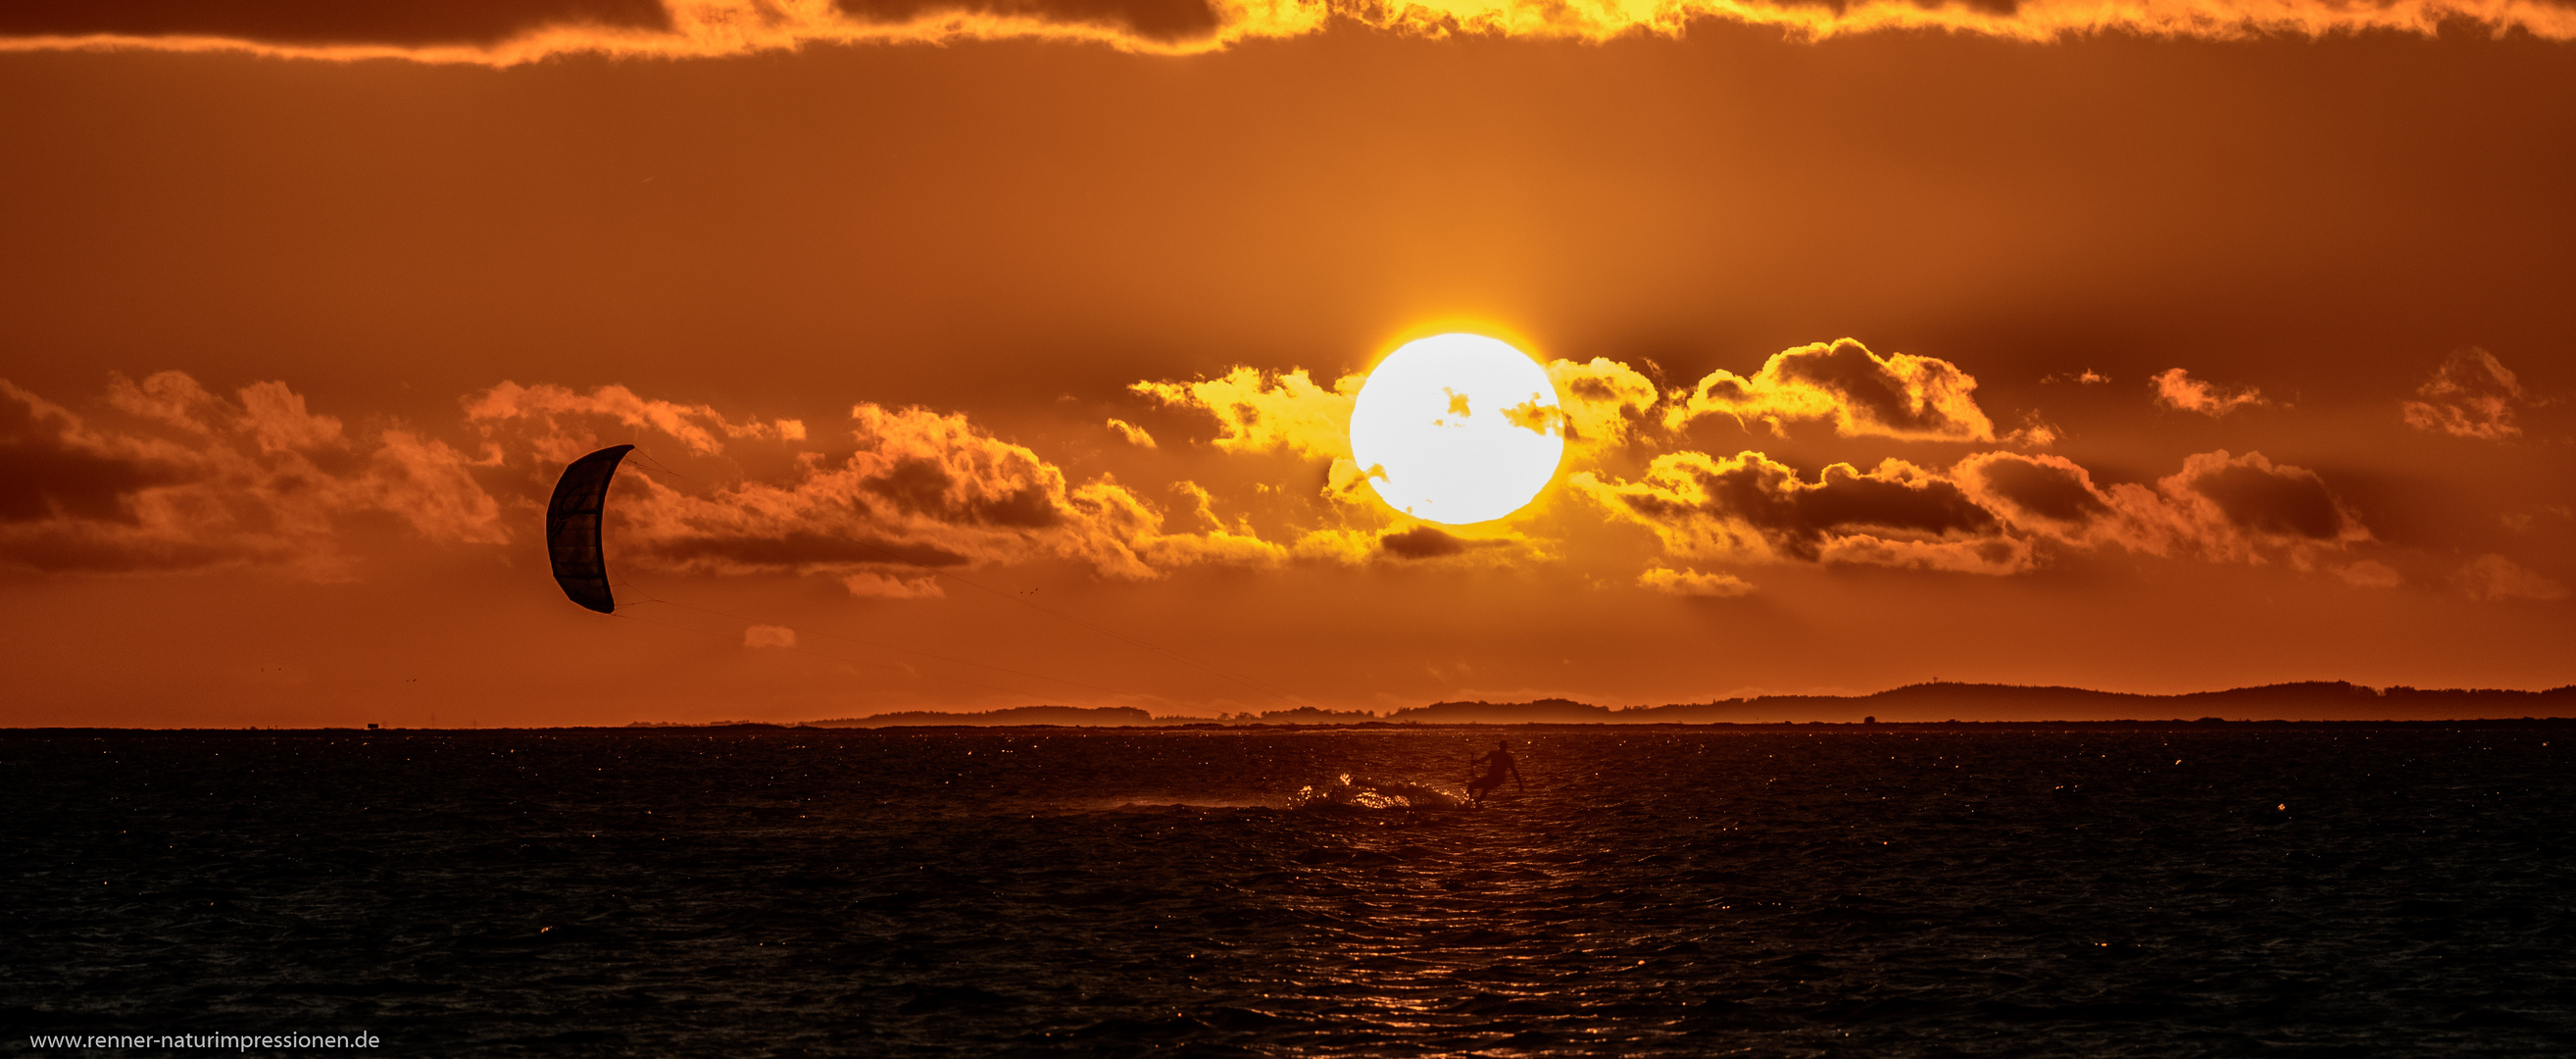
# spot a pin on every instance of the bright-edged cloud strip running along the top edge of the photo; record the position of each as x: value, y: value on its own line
x: 506, y: 32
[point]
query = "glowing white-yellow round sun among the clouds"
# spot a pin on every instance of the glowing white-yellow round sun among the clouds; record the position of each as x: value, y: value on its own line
x: 1457, y: 429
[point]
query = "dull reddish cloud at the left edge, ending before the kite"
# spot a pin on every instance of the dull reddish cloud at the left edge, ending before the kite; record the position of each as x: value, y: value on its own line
x: 169, y: 475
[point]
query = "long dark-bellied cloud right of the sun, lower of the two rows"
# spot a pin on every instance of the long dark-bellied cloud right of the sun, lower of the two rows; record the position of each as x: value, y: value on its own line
x: 1990, y: 514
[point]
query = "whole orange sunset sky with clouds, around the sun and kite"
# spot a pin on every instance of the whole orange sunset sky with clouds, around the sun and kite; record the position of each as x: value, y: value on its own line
x: 2178, y: 362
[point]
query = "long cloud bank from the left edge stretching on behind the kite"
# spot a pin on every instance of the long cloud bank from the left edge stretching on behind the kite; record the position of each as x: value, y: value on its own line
x: 166, y: 475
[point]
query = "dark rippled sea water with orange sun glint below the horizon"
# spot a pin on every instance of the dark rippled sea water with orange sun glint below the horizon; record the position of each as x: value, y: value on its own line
x: 1678, y: 893
